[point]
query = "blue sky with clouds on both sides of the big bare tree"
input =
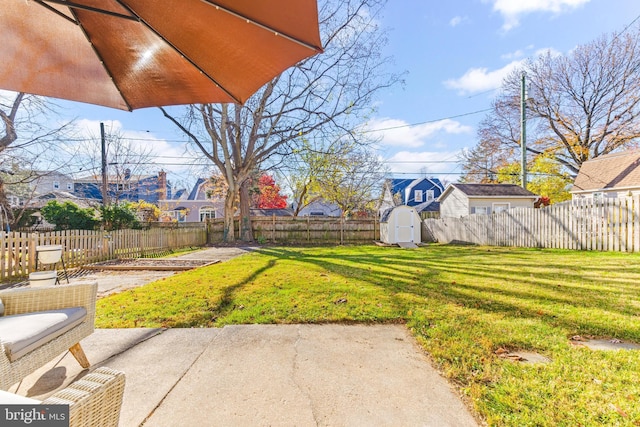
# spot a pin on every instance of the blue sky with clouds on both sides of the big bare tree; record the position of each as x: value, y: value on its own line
x: 455, y: 54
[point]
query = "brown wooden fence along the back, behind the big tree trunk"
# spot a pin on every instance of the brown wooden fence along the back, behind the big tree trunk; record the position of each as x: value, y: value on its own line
x: 304, y: 230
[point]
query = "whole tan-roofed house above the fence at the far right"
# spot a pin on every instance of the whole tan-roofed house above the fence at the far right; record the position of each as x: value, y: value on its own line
x: 615, y: 175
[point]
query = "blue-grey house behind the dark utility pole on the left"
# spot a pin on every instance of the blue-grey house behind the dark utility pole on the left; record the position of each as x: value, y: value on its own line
x: 128, y: 187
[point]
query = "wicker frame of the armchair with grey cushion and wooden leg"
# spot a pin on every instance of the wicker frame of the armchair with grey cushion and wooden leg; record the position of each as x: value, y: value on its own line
x: 32, y: 300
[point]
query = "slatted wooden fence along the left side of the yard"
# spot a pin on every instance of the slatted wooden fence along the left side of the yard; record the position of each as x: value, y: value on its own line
x: 82, y: 247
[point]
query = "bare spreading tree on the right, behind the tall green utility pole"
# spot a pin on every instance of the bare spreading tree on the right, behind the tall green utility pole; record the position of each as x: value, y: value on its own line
x: 580, y: 106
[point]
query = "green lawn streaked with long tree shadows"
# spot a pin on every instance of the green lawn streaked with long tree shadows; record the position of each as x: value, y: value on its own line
x: 461, y: 303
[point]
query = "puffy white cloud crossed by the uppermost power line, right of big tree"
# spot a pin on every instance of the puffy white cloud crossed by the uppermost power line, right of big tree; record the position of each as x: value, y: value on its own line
x: 397, y: 133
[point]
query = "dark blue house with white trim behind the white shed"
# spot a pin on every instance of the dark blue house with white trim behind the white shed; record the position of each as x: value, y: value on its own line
x: 421, y: 193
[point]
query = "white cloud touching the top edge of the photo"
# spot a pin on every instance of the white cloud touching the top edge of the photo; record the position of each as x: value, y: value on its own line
x: 512, y: 10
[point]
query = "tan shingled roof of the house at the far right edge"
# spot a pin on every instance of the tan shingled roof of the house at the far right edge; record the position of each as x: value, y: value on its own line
x: 616, y: 170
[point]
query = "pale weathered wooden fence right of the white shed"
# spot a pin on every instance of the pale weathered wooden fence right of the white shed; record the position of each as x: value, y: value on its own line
x: 586, y: 224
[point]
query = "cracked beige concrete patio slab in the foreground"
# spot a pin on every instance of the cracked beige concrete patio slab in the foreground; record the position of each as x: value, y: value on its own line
x: 259, y: 375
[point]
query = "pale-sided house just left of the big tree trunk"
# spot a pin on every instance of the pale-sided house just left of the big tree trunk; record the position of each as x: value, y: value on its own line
x: 195, y: 206
